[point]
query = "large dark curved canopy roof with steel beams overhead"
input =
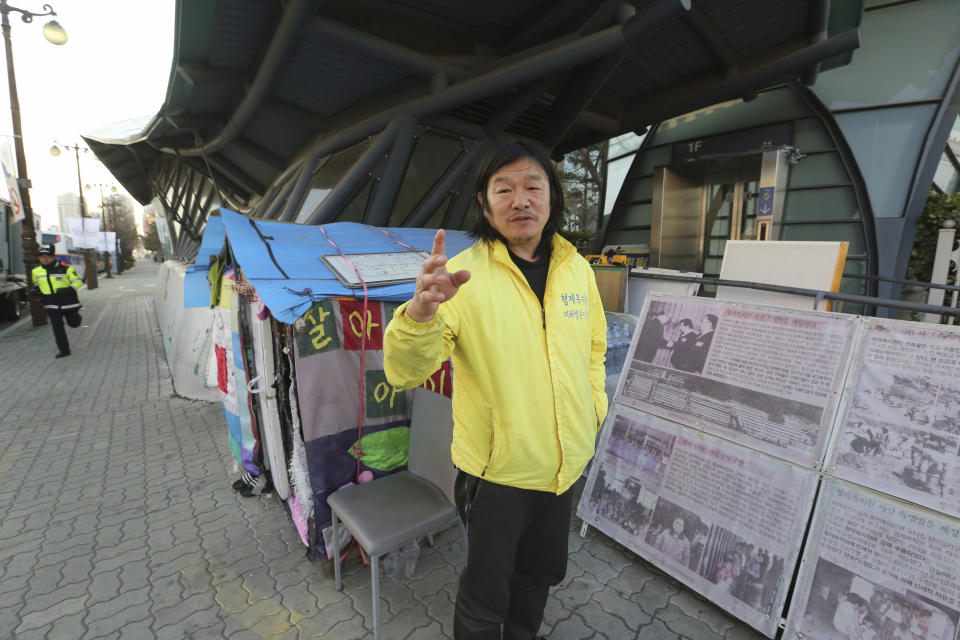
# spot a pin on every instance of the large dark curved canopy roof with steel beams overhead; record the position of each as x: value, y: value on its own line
x: 255, y: 86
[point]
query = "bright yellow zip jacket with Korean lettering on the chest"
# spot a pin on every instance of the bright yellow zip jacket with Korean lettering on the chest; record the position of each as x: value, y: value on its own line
x: 528, y: 383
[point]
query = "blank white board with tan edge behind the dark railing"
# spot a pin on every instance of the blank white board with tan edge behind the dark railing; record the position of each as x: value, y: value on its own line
x: 806, y: 265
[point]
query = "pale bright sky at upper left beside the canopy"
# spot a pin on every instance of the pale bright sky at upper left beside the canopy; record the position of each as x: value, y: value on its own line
x: 114, y: 66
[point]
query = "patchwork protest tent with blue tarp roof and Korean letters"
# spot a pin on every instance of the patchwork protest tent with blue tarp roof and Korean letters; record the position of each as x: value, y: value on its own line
x: 340, y: 421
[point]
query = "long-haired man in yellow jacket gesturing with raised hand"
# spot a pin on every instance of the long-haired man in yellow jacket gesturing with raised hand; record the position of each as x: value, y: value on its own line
x: 520, y: 317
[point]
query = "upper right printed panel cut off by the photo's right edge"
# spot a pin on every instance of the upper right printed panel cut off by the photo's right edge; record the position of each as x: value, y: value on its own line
x: 900, y: 417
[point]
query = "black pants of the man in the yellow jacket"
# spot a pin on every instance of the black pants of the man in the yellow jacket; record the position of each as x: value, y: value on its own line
x: 517, y: 551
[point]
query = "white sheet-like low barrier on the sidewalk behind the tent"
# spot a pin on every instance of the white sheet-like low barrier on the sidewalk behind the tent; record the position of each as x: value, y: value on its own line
x: 186, y: 335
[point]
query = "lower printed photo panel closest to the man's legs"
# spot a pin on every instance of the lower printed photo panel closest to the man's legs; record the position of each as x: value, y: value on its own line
x: 720, y: 518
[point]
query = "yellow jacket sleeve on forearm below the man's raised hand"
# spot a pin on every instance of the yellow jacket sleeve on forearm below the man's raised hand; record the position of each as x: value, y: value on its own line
x: 413, y: 351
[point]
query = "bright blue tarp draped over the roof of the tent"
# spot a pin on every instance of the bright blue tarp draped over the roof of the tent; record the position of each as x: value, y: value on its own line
x: 282, y: 260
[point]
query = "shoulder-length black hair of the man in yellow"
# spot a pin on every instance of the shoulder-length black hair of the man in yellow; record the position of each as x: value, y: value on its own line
x: 499, y: 156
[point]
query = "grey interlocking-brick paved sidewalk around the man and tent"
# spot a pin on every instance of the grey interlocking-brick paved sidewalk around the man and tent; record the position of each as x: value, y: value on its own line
x: 117, y: 519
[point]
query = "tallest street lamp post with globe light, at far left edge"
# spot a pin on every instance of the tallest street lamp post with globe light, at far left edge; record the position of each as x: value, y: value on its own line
x: 54, y: 33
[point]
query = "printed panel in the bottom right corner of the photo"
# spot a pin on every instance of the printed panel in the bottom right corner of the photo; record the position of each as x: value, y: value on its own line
x: 878, y: 569
